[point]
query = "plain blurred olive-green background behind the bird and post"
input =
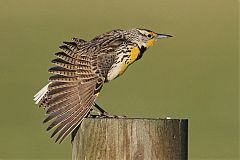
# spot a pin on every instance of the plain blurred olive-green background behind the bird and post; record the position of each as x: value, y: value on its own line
x: 193, y: 75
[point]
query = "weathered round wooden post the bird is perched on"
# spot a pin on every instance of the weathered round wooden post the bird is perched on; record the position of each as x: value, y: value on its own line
x: 131, y: 139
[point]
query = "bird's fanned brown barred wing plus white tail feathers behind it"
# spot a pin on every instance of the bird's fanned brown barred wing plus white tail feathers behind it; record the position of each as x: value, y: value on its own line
x: 71, y: 92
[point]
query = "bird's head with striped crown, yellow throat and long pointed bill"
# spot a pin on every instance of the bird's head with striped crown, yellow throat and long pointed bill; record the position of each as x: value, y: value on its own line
x: 144, y: 38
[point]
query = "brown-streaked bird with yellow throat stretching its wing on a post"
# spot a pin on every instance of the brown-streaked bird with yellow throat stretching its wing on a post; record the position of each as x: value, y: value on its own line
x: 80, y: 70
